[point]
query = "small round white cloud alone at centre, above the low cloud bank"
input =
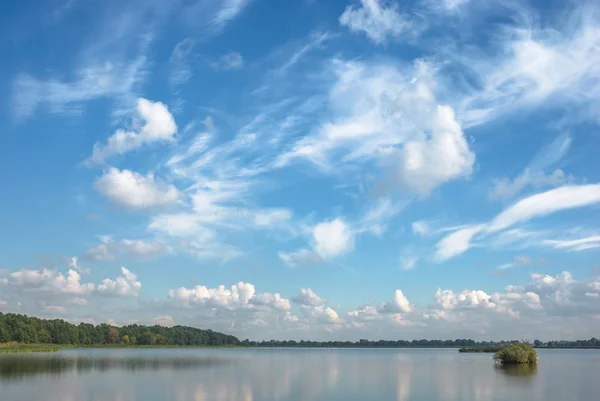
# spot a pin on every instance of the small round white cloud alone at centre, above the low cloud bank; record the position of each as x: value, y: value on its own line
x: 333, y: 238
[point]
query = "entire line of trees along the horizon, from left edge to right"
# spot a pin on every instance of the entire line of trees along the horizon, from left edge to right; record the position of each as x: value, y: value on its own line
x: 32, y: 330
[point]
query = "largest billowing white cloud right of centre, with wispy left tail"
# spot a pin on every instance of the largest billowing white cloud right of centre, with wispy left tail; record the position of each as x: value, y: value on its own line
x: 388, y: 113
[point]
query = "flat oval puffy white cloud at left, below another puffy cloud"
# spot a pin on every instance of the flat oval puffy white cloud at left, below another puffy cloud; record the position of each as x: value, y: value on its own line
x: 133, y: 190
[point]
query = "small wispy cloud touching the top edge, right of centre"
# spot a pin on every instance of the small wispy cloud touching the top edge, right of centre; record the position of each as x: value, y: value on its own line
x: 377, y: 21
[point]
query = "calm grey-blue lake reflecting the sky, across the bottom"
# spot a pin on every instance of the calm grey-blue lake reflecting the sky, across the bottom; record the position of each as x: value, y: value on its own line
x: 294, y: 375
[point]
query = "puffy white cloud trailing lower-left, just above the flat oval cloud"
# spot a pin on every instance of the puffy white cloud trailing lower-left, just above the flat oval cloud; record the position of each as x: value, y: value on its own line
x: 153, y: 123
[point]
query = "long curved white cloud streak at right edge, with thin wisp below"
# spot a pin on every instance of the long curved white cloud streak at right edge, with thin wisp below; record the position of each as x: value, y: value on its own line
x: 535, y: 206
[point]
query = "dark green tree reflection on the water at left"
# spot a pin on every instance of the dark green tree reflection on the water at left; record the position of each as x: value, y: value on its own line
x: 20, y: 367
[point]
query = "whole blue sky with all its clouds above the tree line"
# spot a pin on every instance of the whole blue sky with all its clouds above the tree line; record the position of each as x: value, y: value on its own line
x: 309, y: 169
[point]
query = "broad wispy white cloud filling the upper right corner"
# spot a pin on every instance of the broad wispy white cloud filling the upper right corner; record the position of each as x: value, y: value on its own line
x: 535, y: 65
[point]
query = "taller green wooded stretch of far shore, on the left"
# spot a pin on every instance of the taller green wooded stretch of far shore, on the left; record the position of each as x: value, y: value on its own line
x: 32, y: 330
